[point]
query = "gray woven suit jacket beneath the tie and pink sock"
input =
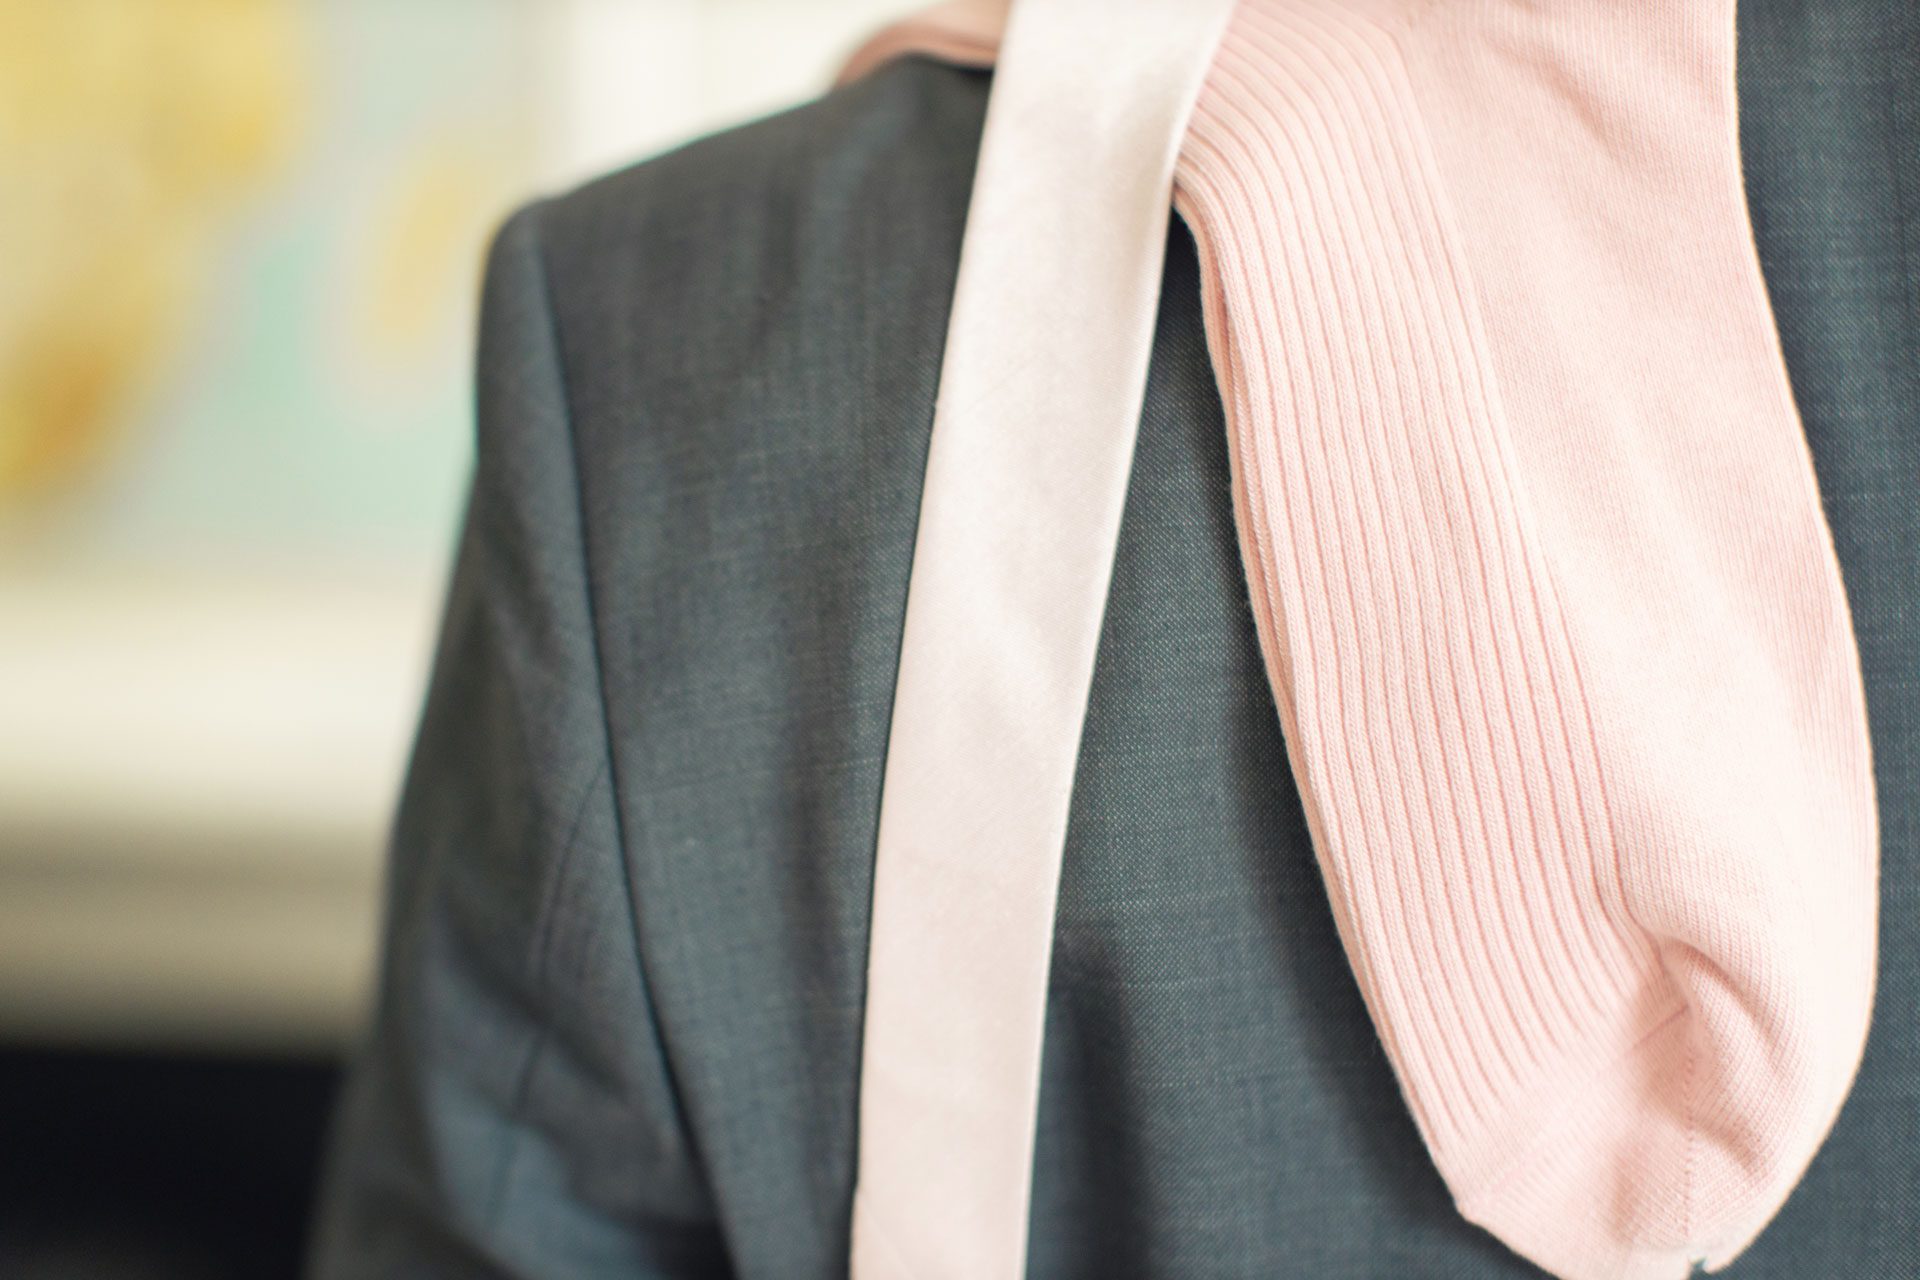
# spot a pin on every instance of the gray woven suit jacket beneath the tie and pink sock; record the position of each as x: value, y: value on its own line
x: 619, y: 1022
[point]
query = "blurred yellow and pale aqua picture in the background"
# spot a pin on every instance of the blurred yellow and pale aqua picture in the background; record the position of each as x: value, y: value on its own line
x: 239, y: 245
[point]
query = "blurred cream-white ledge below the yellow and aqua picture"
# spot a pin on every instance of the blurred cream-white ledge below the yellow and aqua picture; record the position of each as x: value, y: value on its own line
x: 197, y: 778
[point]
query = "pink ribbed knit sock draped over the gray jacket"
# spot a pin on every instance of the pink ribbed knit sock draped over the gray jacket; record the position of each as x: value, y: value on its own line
x: 1545, y: 592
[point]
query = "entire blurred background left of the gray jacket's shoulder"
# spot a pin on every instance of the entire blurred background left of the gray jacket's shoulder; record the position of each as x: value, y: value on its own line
x: 239, y: 264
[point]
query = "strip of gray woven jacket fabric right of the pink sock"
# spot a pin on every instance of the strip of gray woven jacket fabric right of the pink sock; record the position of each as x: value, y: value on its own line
x: 1831, y: 131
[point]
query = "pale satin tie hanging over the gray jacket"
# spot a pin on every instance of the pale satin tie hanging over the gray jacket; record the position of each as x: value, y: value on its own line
x: 1034, y: 431
